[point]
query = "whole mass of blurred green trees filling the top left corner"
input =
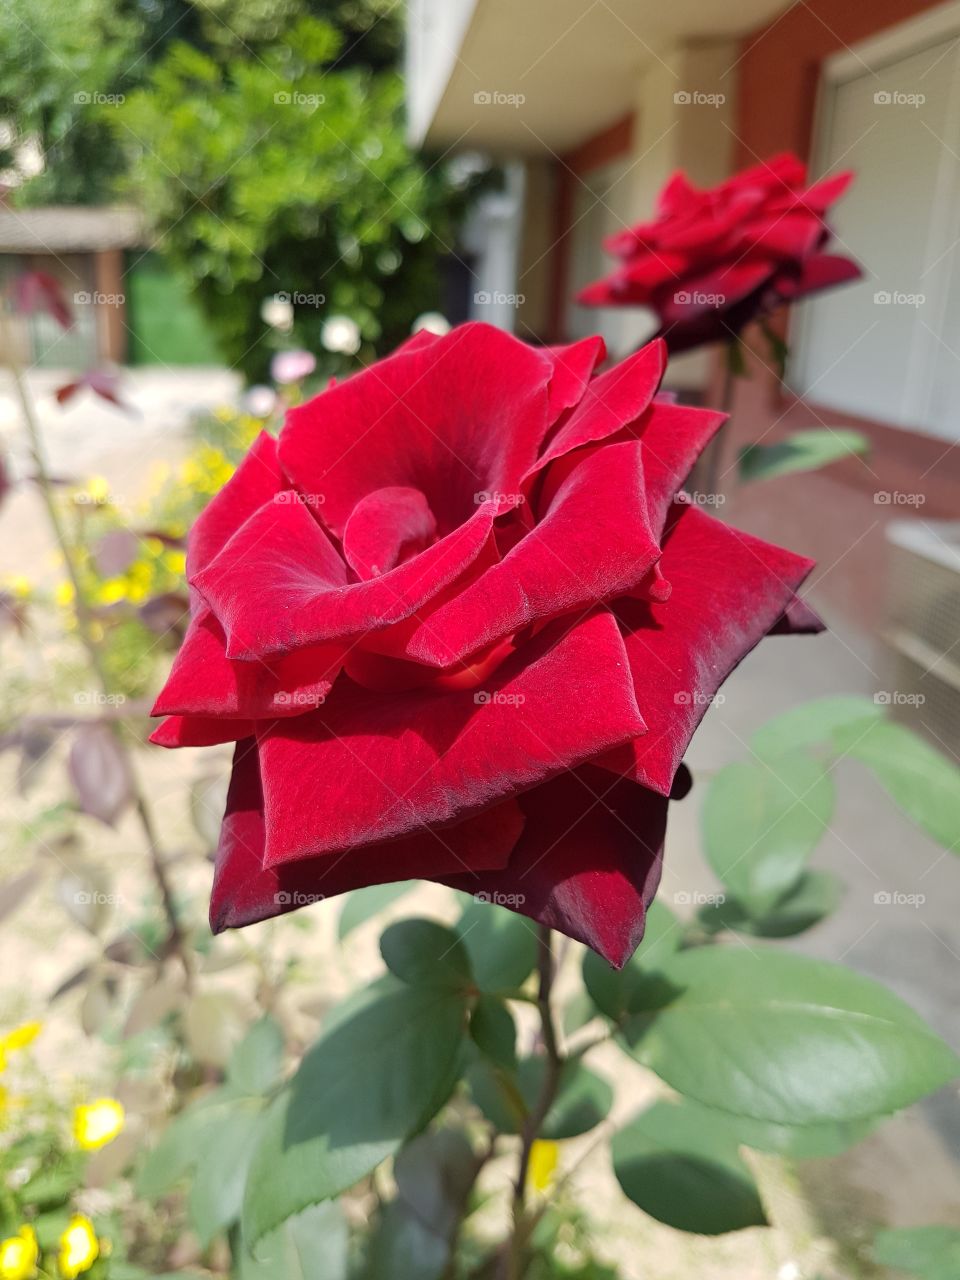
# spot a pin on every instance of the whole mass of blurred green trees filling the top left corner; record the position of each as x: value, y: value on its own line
x: 263, y: 139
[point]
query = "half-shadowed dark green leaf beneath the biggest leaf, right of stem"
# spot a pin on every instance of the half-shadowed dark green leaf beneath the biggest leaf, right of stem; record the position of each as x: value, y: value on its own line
x: 682, y: 1165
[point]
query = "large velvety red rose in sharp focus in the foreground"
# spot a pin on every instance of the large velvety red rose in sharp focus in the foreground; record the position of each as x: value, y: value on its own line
x: 463, y: 629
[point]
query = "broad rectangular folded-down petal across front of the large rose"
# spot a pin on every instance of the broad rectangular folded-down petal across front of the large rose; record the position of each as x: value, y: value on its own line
x: 367, y: 769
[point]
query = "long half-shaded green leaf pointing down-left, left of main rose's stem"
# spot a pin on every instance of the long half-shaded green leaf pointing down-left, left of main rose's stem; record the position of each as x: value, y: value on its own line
x: 373, y: 1080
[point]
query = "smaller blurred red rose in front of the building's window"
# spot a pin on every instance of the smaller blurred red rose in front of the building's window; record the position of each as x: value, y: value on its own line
x: 714, y: 260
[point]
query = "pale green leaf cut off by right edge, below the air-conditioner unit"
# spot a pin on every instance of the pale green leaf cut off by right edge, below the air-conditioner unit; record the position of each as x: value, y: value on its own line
x: 918, y: 779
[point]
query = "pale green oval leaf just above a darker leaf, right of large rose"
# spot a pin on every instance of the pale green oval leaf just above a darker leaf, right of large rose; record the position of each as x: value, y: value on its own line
x: 764, y: 821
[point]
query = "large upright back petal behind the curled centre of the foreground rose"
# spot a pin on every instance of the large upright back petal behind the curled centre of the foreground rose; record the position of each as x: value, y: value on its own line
x: 459, y: 417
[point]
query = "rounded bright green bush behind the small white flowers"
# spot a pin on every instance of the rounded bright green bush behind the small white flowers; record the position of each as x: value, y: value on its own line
x: 285, y: 172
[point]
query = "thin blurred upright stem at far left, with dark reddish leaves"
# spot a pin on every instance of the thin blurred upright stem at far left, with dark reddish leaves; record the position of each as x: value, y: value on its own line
x: 93, y: 650
